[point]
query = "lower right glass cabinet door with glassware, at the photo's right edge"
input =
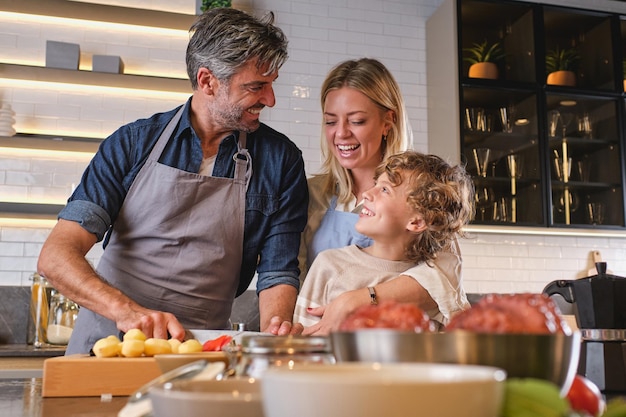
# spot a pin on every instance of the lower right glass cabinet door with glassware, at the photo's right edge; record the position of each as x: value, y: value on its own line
x: 585, y: 168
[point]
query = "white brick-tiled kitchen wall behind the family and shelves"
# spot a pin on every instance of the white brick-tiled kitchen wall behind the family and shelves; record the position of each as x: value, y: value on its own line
x: 321, y: 33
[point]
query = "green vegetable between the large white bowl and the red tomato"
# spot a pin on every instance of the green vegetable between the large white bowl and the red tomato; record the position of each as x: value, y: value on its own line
x: 529, y: 397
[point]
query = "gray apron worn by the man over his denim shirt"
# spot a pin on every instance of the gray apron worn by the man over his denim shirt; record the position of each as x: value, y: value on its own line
x: 176, y: 245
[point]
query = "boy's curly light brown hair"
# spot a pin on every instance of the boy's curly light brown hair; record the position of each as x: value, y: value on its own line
x: 441, y: 193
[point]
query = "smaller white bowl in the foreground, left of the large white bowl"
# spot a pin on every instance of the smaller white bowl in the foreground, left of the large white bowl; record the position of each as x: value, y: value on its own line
x: 236, y: 397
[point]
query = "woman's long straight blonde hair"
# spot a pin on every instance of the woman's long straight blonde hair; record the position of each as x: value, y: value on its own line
x: 371, y: 78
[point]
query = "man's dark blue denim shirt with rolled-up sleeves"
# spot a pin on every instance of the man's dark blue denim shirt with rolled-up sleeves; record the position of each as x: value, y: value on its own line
x: 276, y: 200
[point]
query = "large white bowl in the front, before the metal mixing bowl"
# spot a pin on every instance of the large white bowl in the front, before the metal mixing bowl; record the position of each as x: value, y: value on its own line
x: 377, y: 389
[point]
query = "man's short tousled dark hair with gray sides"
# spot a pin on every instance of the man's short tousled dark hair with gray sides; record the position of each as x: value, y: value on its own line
x: 224, y: 39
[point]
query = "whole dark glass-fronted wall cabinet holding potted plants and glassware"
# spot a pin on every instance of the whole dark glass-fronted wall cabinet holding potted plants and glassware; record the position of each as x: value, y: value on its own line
x: 543, y: 137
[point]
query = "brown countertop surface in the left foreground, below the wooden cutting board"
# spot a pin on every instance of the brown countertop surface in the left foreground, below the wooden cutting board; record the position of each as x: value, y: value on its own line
x: 22, y: 398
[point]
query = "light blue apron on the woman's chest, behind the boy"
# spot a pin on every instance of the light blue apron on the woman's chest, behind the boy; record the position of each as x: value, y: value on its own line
x: 336, y: 230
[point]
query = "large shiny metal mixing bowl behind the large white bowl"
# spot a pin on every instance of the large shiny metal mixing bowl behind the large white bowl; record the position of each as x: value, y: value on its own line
x: 552, y: 357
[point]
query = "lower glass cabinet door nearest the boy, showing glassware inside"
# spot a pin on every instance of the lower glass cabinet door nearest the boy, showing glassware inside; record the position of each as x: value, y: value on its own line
x: 500, y: 145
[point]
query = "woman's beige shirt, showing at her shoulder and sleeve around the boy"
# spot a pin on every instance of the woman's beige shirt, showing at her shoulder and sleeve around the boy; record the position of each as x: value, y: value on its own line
x: 443, y: 281
